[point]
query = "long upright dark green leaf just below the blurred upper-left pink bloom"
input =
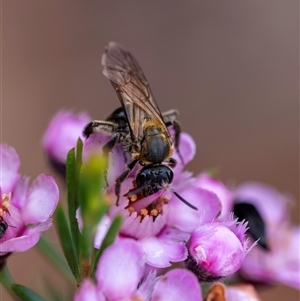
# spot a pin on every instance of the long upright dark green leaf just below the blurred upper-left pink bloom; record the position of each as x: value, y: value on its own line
x: 72, y: 187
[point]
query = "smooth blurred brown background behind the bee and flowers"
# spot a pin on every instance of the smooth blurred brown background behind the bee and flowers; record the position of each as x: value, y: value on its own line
x: 230, y: 67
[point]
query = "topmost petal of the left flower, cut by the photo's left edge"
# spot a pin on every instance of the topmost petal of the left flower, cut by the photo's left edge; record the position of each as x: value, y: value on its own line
x: 9, y: 166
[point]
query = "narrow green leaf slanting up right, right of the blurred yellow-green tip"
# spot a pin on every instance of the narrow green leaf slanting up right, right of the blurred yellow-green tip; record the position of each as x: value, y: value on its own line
x: 108, y: 240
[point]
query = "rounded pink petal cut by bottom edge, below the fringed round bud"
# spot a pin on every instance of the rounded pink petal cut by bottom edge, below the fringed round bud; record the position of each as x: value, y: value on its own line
x: 177, y: 285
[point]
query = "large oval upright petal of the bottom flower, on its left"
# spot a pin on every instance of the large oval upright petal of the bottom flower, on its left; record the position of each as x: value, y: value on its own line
x: 120, y: 269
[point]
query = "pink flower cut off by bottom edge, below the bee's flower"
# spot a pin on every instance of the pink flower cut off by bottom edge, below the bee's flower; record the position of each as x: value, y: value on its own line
x: 120, y: 276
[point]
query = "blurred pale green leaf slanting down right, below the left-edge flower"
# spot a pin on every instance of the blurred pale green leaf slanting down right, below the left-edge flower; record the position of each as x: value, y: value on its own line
x: 55, y: 257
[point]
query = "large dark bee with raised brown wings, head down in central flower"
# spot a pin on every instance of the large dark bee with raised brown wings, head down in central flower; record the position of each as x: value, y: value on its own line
x: 139, y: 126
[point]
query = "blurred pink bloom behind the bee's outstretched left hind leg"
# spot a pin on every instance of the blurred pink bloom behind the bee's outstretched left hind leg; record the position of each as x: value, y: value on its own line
x: 62, y: 134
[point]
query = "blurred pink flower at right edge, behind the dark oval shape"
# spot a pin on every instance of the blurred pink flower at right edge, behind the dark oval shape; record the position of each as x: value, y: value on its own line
x: 280, y: 262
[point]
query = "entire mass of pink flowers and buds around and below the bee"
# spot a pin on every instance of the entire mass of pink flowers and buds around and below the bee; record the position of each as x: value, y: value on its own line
x: 209, y: 244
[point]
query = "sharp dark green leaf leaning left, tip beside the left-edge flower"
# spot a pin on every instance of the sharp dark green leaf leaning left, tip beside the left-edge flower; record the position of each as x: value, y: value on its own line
x: 66, y: 242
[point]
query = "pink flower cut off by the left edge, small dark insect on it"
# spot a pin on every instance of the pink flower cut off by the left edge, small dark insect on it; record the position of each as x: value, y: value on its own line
x: 25, y: 210
